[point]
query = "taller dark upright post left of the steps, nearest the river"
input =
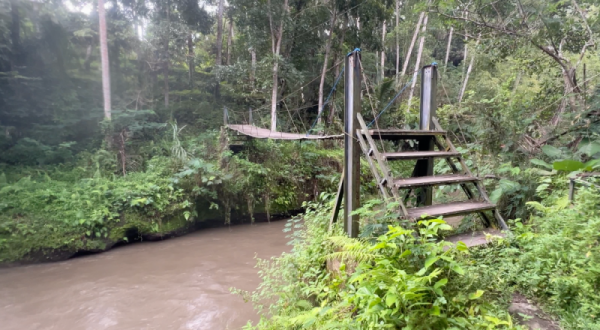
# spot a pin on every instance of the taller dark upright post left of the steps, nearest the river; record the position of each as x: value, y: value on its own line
x: 351, y: 147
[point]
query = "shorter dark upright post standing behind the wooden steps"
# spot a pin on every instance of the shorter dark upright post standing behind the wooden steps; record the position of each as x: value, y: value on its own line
x: 424, y: 167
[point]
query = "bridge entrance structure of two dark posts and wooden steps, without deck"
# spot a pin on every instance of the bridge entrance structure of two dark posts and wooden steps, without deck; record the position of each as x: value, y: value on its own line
x: 429, y: 137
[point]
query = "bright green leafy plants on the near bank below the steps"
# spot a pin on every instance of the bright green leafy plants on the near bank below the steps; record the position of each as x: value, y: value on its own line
x: 407, y: 279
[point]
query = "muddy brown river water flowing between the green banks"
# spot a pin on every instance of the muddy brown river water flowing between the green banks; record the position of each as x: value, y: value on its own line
x: 181, y: 283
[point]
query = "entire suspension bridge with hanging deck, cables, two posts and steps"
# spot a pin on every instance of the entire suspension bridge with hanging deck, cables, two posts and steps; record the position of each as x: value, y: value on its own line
x: 414, y: 194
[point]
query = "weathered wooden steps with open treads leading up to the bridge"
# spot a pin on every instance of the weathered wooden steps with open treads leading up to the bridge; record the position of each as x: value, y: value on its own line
x: 390, y: 187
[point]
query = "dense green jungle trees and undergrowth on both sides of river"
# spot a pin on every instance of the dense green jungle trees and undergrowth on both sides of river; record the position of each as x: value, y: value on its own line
x: 83, y: 168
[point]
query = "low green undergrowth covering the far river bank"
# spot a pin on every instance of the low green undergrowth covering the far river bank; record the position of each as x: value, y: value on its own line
x: 88, y: 208
